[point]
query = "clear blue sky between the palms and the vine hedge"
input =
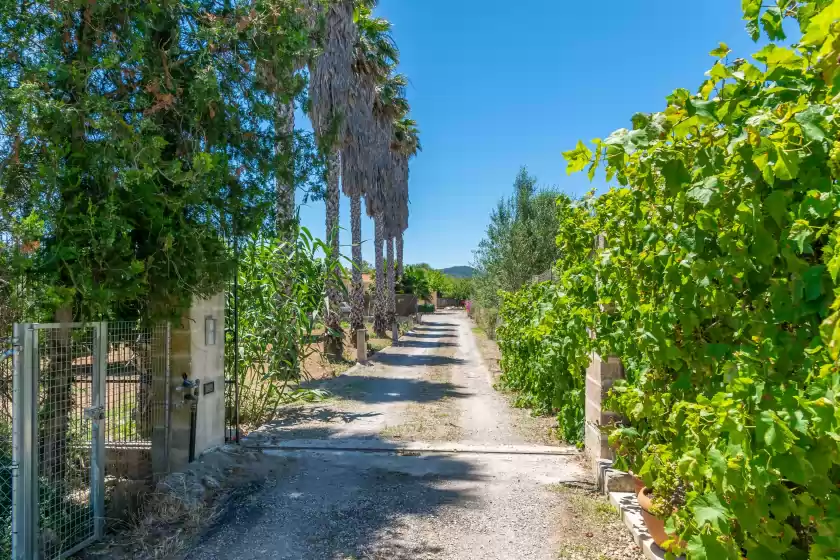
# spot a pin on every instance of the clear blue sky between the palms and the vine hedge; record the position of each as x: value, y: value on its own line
x: 497, y: 85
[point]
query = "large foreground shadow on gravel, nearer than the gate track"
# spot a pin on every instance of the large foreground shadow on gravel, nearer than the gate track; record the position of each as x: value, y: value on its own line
x: 340, y: 506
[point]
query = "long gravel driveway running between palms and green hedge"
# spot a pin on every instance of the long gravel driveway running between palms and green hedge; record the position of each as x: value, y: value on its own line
x: 496, y: 497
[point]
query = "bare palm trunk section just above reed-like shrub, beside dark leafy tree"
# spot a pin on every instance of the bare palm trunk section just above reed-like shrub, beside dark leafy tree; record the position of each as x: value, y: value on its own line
x: 285, y: 180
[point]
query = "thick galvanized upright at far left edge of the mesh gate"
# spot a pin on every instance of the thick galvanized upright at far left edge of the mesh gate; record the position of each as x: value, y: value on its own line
x: 25, y: 445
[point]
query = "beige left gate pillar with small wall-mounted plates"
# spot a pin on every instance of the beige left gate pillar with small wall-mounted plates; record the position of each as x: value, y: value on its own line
x: 193, y: 354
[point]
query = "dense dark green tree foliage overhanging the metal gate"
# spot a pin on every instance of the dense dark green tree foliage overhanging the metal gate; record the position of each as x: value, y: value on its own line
x: 169, y: 103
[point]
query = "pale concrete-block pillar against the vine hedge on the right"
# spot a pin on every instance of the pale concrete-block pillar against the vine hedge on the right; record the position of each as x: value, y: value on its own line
x: 600, y: 377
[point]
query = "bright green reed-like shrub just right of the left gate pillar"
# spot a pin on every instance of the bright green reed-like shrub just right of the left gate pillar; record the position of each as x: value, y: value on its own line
x: 282, y: 287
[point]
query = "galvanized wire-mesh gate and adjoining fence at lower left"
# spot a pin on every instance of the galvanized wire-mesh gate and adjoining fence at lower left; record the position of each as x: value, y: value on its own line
x: 89, y: 403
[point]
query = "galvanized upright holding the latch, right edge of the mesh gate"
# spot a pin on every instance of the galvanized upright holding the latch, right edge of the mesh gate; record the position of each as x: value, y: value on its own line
x: 97, y: 457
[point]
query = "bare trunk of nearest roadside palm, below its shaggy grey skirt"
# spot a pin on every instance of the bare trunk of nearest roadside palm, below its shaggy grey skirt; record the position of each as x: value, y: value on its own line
x: 334, y: 343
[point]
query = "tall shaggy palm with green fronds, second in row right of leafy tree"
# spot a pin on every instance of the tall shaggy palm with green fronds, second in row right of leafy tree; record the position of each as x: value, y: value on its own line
x: 375, y: 56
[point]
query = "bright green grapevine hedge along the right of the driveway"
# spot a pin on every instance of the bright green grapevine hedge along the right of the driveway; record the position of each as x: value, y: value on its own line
x: 716, y: 283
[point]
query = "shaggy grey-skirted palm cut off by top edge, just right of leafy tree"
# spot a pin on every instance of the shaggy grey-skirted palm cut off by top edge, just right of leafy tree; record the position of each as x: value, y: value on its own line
x: 330, y: 77
